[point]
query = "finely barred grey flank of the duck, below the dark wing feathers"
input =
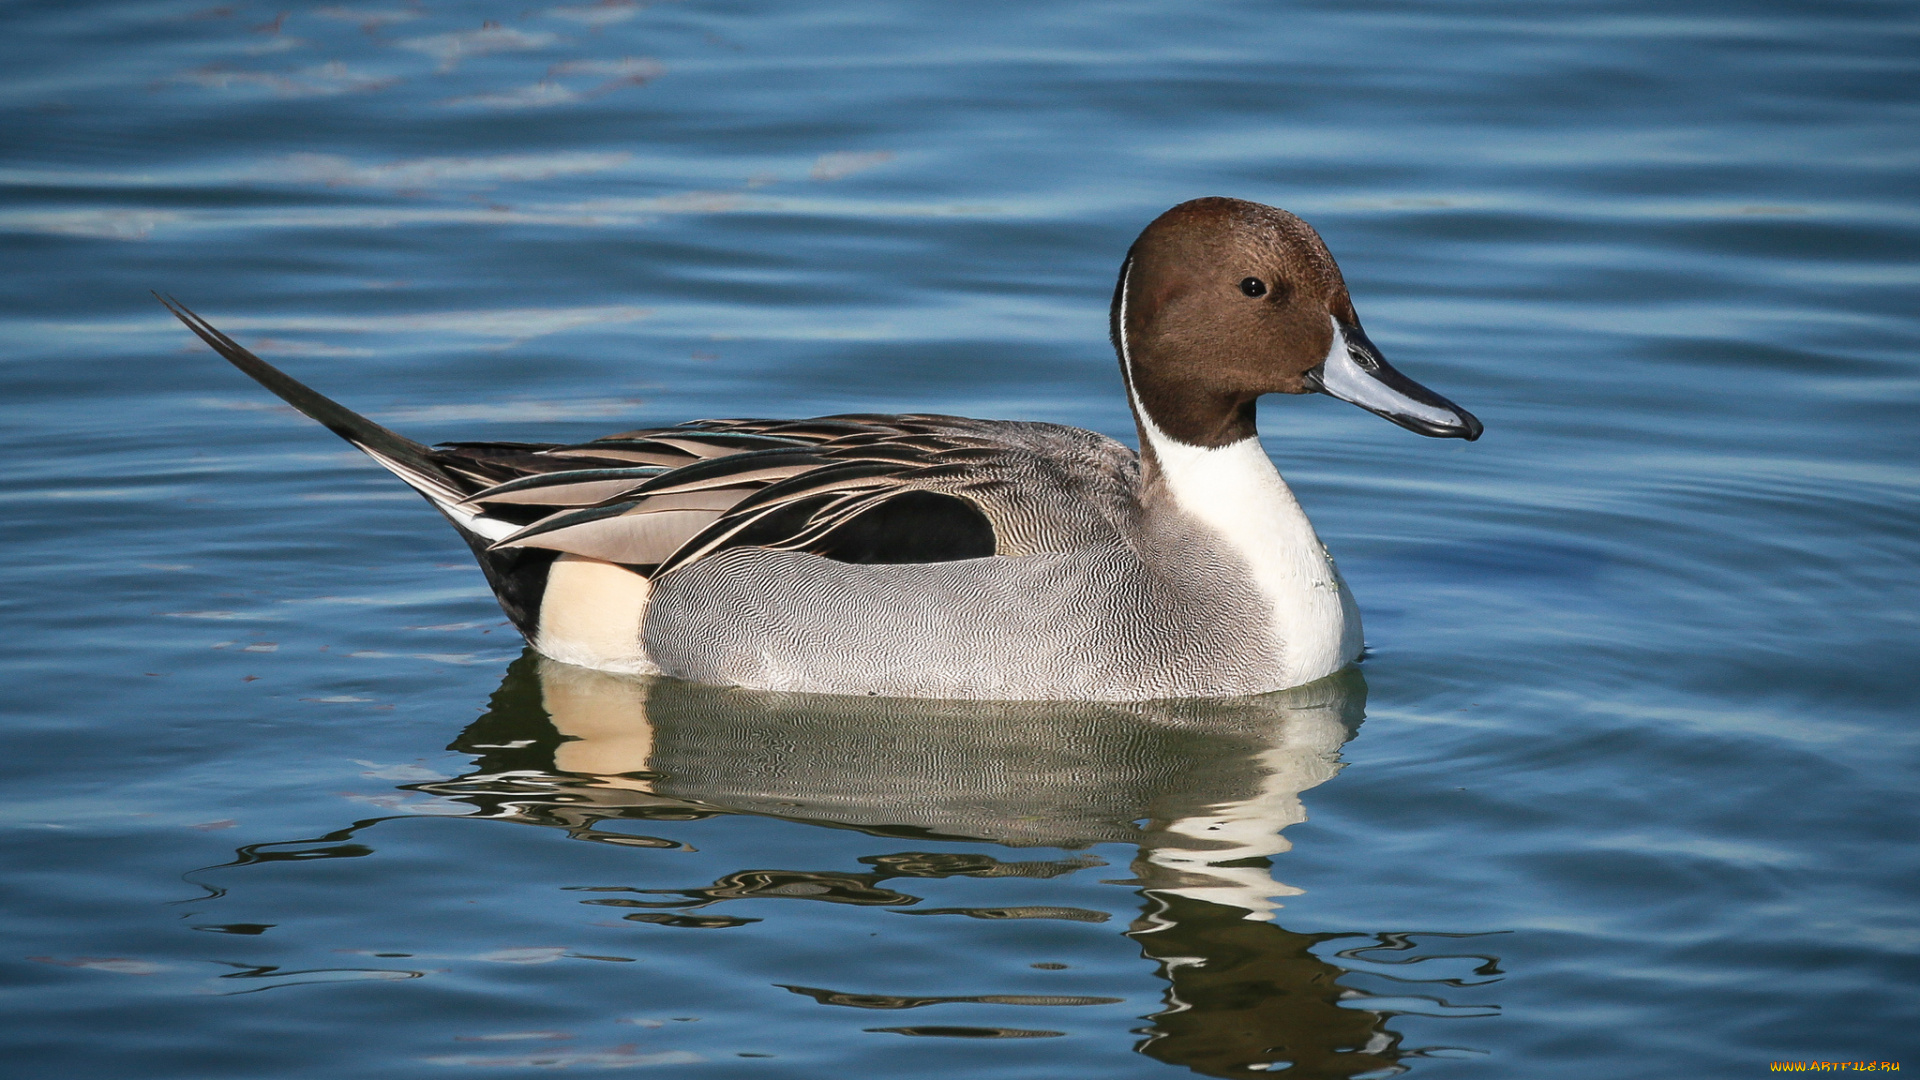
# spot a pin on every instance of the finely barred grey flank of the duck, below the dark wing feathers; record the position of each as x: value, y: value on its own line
x: 1088, y: 626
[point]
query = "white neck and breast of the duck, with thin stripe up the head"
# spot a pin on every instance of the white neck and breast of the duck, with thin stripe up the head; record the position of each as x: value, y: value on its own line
x: 1239, y: 495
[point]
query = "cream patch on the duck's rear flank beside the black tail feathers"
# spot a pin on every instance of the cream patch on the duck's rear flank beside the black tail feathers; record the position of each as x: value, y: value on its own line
x: 590, y: 616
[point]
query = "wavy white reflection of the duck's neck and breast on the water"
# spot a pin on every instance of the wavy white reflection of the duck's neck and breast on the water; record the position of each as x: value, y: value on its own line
x: 1305, y: 754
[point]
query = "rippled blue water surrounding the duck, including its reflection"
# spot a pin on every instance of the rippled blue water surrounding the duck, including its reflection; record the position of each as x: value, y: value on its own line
x: 1625, y: 787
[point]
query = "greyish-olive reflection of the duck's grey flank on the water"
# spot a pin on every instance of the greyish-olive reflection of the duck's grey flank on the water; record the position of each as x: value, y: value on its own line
x: 1061, y: 775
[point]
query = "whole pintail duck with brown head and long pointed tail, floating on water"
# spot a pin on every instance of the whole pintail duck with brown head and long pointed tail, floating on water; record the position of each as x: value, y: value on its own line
x: 928, y: 556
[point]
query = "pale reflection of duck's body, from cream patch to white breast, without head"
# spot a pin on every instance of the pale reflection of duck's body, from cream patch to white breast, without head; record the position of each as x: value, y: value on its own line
x: 1197, y: 785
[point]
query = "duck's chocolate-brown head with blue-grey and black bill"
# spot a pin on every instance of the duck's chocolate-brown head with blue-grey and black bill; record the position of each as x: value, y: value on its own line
x: 1224, y: 301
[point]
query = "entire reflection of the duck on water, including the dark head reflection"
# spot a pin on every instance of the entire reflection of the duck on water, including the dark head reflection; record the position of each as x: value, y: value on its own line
x: 1199, y: 789
